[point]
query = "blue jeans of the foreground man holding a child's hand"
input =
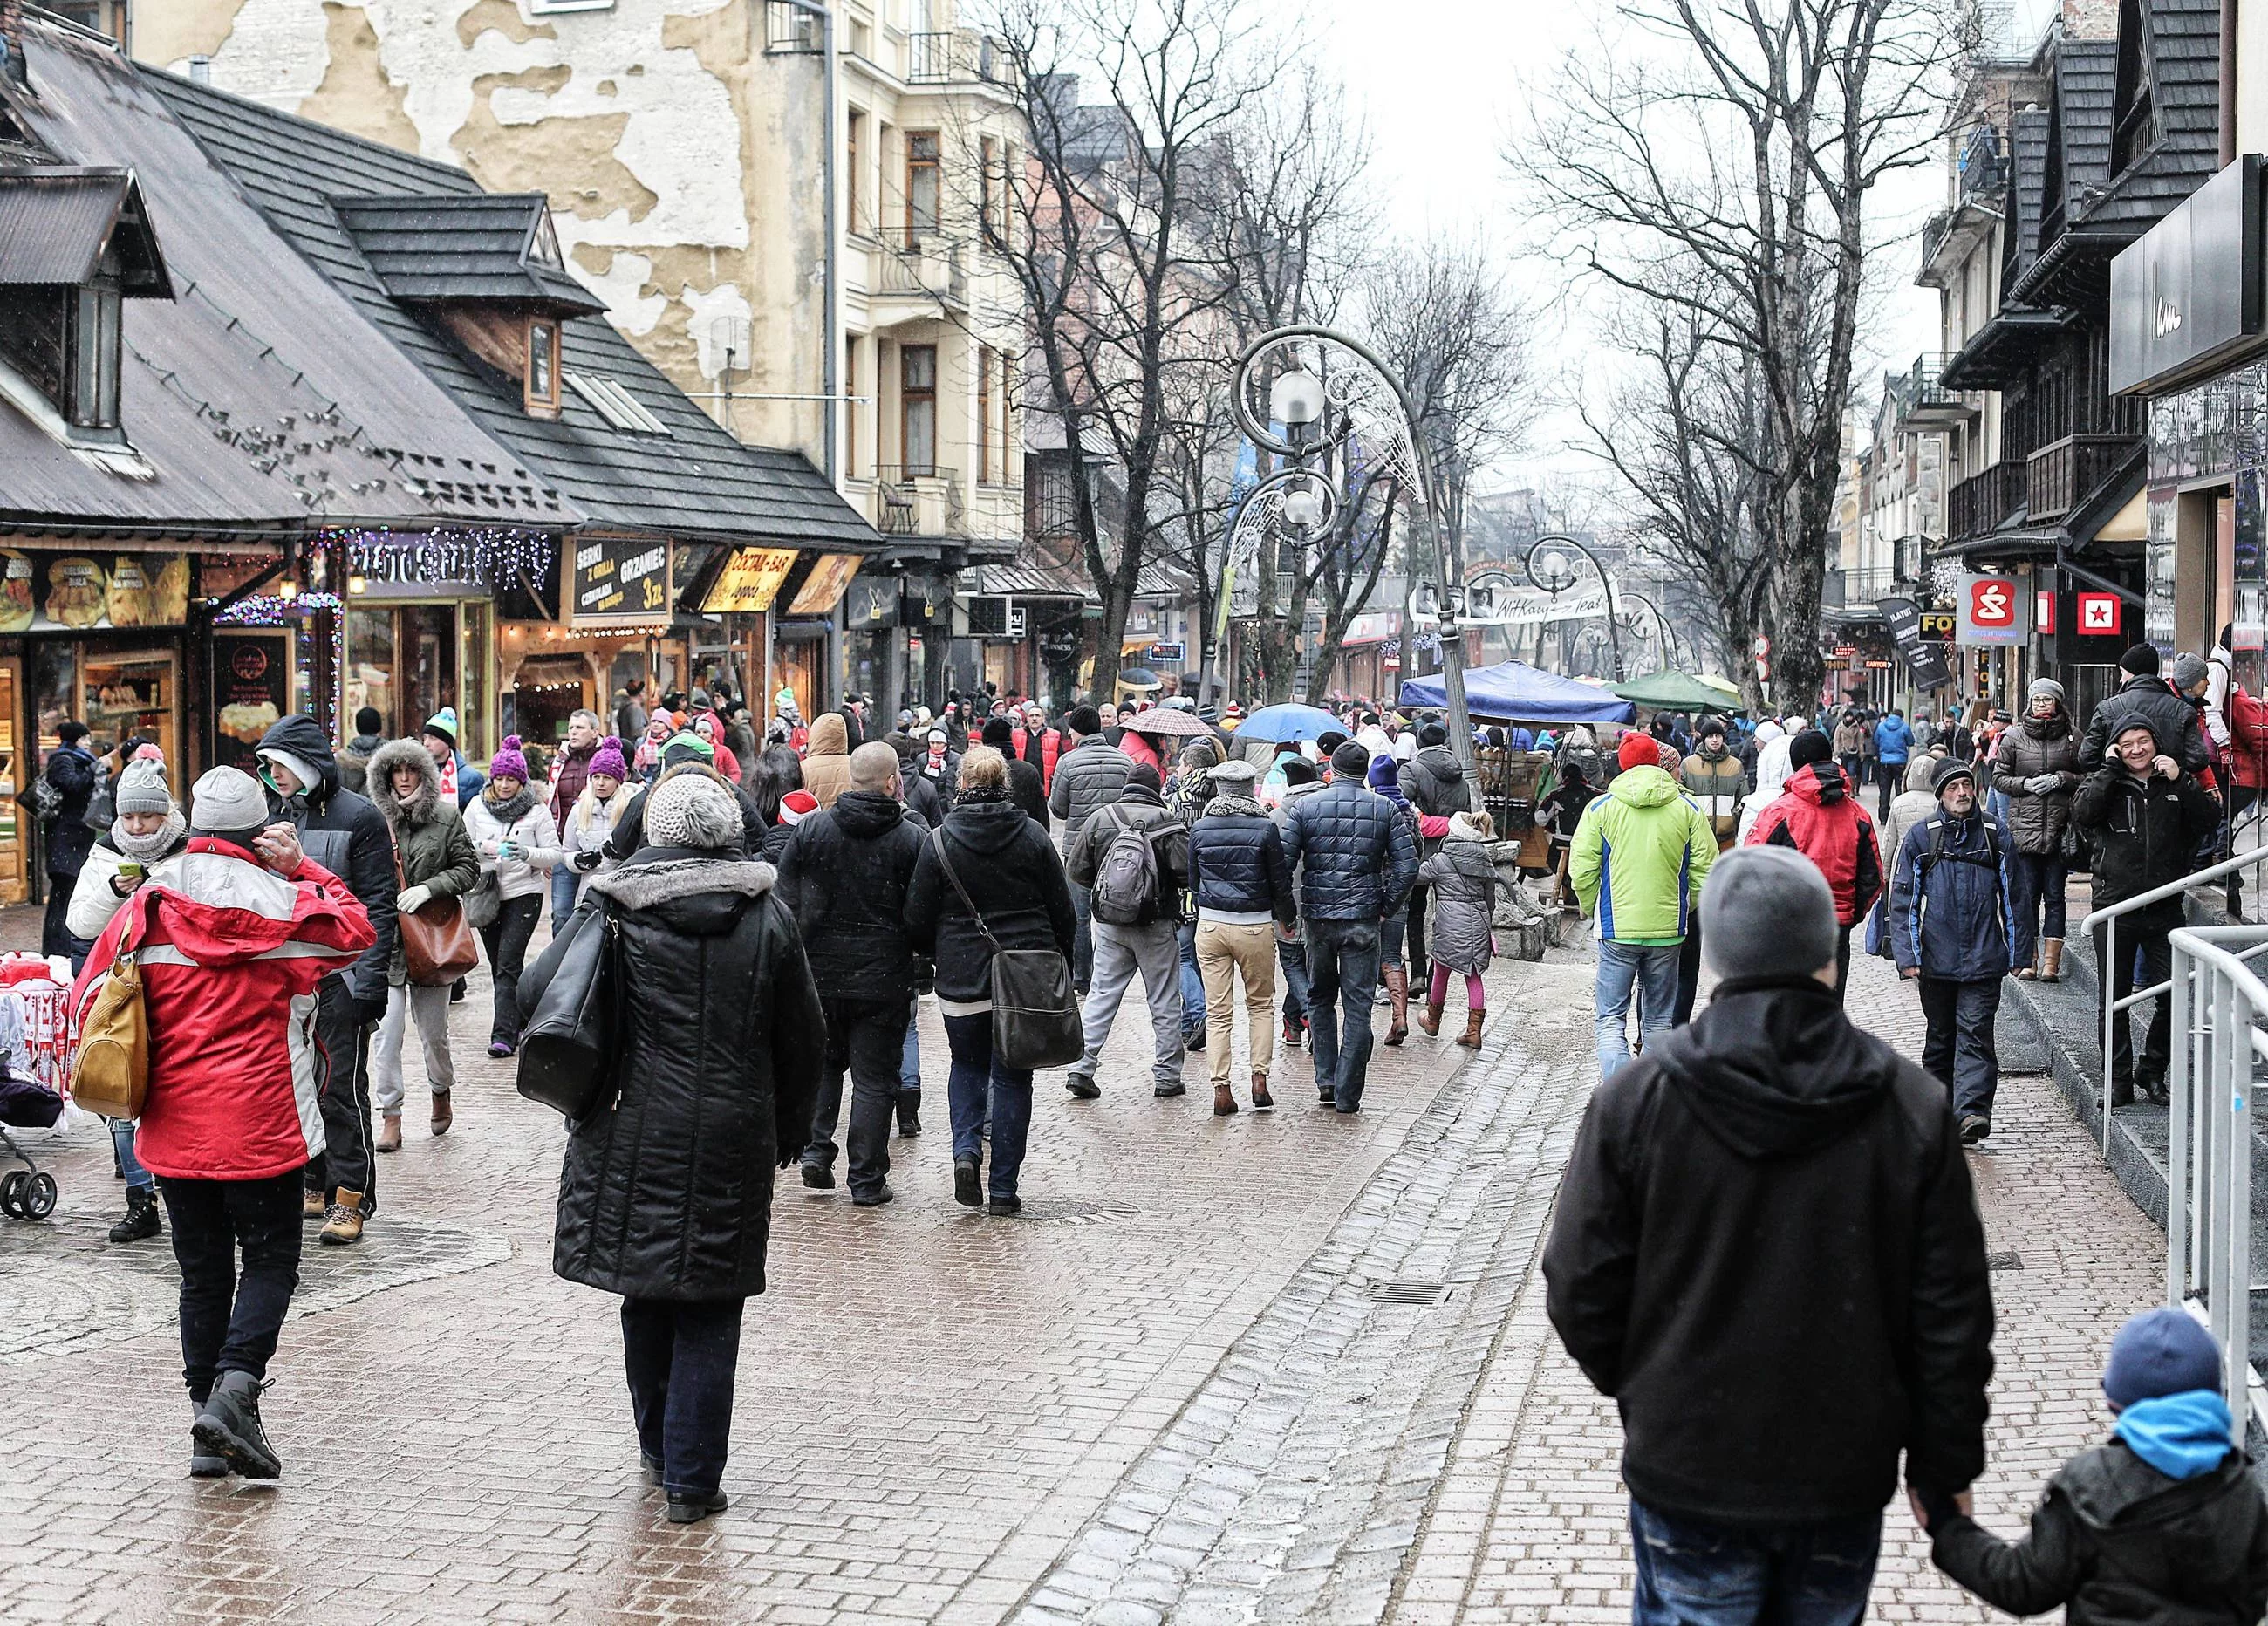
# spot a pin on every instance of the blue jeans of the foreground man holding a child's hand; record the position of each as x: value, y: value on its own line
x: 1793, y: 1575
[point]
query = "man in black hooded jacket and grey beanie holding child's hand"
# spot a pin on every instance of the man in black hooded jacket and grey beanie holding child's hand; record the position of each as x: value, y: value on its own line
x: 1770, y: 1255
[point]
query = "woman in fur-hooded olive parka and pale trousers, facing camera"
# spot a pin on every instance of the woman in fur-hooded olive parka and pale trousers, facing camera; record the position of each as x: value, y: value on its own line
x: 437, y: 863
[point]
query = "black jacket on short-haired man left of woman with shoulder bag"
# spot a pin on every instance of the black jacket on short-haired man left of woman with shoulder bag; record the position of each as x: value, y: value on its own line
x: 845, y: 874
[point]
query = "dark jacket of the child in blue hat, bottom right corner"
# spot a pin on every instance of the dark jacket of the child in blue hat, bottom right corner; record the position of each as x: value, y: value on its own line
x: 2124, y: 1545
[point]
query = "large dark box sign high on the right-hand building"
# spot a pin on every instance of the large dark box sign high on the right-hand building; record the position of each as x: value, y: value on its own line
x: 2187, y: 296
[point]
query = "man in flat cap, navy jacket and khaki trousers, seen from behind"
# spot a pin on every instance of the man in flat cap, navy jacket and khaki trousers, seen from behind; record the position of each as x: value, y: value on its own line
x: 1242, y: 886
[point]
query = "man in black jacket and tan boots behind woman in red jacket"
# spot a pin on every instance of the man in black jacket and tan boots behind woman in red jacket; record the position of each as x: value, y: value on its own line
x: 348, y: 836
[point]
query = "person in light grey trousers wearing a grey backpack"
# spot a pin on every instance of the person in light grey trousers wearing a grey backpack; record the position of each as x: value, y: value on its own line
x: 1133, y: 858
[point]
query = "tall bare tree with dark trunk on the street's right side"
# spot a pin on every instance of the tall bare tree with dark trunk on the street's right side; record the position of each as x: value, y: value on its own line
x: 1718, y: 162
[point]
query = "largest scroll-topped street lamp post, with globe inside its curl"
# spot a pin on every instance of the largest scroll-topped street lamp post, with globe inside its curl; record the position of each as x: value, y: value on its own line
x: 1310, y: 432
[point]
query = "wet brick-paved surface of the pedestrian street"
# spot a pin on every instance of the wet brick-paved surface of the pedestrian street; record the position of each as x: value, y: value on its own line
x: 1276, y: 1366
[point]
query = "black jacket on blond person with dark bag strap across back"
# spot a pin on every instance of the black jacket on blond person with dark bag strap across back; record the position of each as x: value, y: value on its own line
x: 1010, y: 872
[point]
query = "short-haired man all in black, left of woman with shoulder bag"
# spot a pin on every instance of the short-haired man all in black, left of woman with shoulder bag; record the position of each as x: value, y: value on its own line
x: 845, y: 874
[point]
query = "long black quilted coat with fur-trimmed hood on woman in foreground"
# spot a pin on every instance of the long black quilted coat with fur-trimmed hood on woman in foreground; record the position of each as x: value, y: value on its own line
x: 668, y: 1192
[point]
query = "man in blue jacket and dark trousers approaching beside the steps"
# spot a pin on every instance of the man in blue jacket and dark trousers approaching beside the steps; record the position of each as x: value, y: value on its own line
x: 1949, y: 929
